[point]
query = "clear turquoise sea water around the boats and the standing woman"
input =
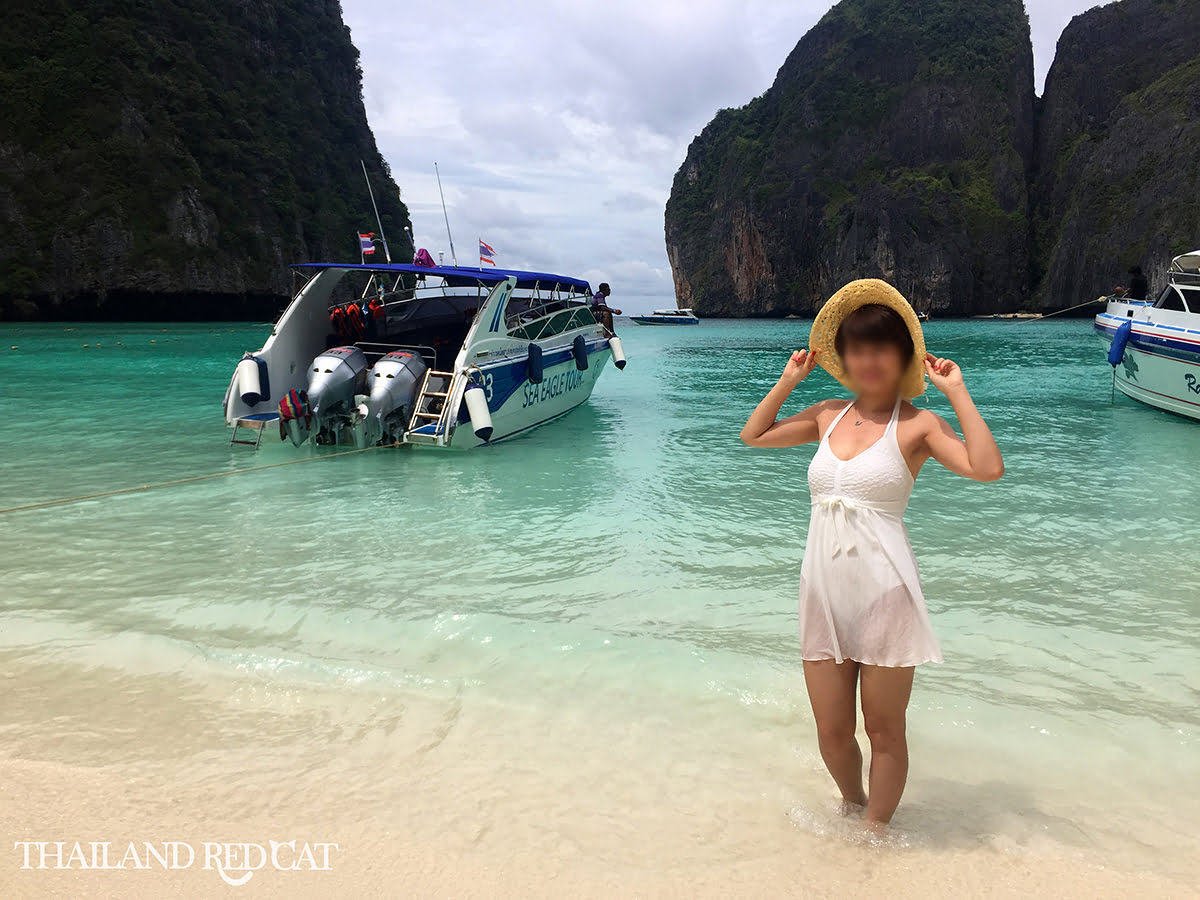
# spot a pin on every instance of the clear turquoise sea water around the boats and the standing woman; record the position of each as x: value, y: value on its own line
x: 633, y: 562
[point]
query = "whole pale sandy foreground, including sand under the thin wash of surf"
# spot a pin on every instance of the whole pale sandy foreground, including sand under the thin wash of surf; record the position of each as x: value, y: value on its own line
x: 451, y: 800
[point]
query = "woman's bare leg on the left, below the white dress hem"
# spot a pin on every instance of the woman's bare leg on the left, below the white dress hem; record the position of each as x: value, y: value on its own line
x: 832, y: 694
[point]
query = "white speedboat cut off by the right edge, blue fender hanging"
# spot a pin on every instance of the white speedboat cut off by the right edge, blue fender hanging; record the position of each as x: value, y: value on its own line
x: 1155, y: 346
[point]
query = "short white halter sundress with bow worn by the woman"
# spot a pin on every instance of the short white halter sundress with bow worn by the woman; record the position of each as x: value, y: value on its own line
x: 861, y: 596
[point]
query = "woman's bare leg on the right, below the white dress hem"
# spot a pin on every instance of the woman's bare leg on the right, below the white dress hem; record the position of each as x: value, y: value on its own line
x: 886, y: 694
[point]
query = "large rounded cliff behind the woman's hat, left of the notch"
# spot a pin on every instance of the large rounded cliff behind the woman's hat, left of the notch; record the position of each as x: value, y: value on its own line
x: 897, y: 142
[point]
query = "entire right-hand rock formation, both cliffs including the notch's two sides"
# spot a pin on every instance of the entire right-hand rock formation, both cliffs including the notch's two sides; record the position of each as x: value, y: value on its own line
x: 899, y: 141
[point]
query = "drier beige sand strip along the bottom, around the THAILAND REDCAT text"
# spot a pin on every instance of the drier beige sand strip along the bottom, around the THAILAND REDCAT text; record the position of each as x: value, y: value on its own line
x: 374, y: 861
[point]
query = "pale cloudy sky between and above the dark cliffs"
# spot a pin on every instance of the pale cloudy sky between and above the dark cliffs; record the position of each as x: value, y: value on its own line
x: 559, y: 127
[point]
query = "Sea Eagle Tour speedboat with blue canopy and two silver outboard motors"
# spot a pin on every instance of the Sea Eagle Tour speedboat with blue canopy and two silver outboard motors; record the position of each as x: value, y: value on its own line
x: 441, y: 357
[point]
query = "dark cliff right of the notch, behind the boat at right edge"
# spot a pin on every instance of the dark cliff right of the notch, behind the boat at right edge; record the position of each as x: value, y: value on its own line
x: 1119, y: 149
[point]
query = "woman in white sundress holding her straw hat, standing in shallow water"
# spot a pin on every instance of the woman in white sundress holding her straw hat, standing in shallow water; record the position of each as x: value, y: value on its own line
x: 865, y: 626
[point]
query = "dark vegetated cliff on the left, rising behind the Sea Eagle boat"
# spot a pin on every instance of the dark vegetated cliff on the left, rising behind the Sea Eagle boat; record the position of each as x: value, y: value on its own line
x: 173, y: 159
